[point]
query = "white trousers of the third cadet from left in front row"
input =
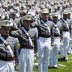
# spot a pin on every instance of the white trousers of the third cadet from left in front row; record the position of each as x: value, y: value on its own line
x: 44, y: 47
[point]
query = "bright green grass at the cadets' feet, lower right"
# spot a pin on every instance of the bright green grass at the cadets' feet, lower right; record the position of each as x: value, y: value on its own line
x: 62, y: 66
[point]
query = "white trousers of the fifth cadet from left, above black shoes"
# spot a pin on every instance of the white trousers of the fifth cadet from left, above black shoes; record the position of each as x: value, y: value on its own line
x: 65, y: 46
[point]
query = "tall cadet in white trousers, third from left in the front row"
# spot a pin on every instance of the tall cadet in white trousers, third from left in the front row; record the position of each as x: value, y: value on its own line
x: 44, y: 41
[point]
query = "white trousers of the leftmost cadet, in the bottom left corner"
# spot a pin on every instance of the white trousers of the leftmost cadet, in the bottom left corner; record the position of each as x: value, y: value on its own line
x: 7, y: 66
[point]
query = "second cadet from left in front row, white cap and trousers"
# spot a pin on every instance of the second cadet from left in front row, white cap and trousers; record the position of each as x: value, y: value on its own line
x: 27, y: 52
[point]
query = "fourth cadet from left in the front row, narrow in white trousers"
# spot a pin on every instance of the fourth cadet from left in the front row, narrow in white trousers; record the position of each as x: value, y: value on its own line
x: 55, y: 34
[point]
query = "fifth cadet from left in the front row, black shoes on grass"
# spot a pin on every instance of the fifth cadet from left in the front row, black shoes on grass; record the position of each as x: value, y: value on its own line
x: 66, y: 36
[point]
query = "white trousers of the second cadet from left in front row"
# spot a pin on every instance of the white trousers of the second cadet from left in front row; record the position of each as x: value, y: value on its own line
x: 26, y: 60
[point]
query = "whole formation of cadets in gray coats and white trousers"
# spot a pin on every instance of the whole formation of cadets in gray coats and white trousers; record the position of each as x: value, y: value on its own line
x: 27, y: 29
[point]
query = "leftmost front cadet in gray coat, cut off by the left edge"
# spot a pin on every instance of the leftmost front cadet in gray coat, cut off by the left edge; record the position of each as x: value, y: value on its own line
x: 8, y: 47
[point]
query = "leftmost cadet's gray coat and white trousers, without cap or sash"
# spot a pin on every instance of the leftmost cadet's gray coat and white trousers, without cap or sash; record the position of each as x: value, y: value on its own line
x: 7, y: 61
